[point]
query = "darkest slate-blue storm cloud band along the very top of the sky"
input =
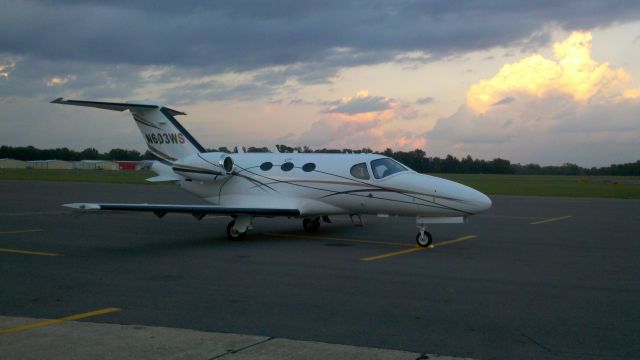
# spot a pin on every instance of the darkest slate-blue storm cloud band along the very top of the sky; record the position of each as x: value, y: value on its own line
x: 246, y: 35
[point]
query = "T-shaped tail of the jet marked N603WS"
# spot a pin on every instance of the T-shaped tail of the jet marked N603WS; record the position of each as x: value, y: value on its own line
x: 165, y: 137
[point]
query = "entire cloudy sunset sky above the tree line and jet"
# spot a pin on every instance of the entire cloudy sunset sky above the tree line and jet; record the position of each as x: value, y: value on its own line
x: 546, y: 82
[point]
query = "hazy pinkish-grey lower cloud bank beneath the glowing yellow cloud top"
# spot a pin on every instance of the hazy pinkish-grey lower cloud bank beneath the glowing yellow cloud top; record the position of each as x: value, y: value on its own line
x: 546, y: 130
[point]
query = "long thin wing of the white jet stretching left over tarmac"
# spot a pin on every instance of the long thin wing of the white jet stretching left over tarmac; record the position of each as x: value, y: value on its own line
x: 198, y: 211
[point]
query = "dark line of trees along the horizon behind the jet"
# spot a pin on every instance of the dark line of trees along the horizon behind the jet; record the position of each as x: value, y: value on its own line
x: 416, y: 159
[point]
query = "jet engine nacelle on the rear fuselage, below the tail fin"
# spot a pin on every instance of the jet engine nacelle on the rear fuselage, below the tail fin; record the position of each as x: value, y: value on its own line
x: 205, y: 167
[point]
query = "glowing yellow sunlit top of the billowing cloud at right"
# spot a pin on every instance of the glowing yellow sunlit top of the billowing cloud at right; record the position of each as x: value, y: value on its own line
x: 574, y: 73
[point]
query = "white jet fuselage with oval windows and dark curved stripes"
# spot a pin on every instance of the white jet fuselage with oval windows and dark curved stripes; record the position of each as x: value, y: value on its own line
x: 327, y: 184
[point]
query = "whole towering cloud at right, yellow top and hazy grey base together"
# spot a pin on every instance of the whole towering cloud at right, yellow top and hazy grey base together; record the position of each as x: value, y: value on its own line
x: 572, y: 109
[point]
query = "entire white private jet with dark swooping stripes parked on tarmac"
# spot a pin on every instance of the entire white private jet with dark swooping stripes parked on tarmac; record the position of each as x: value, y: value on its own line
x: 308, y: 186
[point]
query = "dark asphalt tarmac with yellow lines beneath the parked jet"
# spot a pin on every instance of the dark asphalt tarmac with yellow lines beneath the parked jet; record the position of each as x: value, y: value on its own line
x: 534, y: 278
